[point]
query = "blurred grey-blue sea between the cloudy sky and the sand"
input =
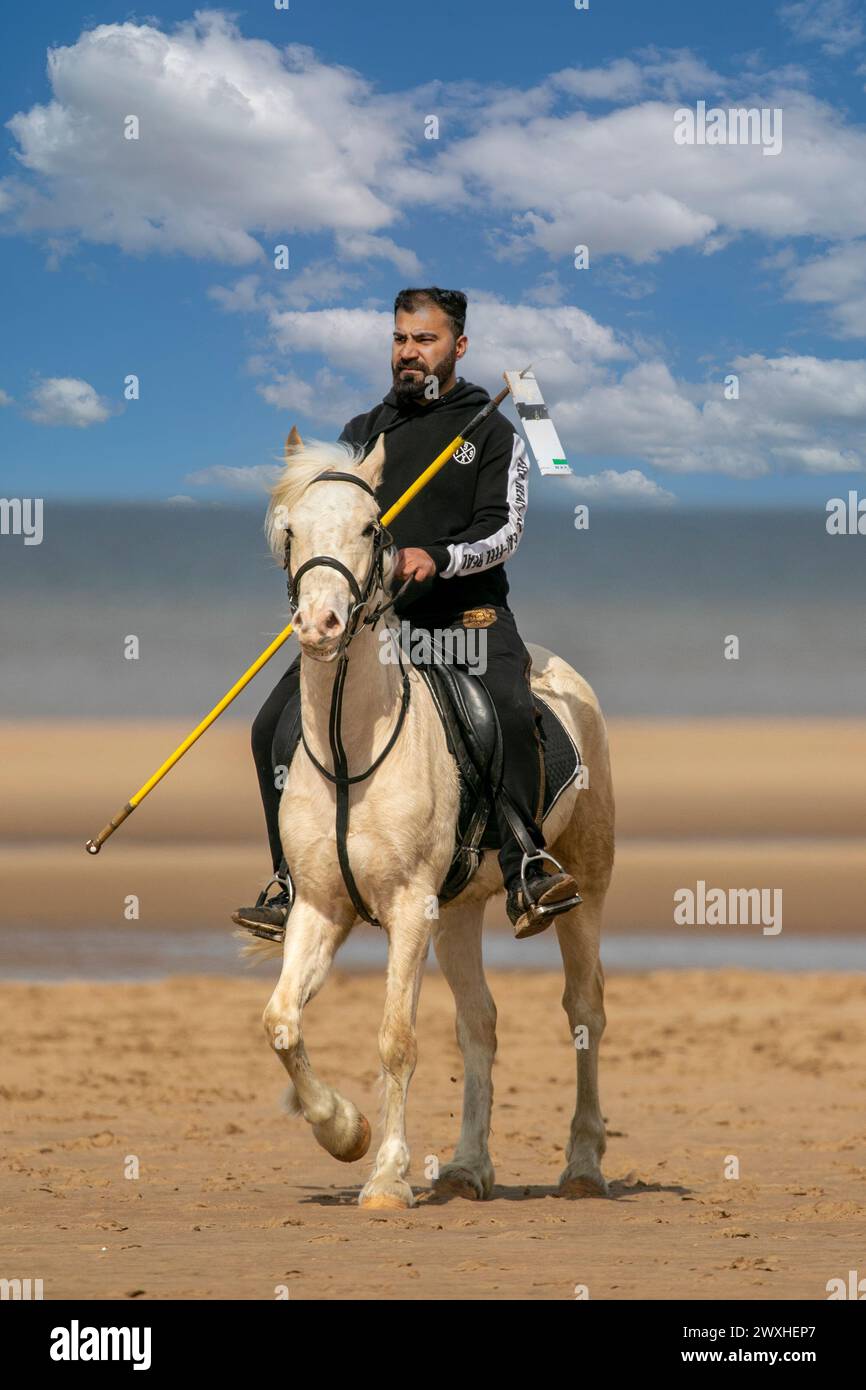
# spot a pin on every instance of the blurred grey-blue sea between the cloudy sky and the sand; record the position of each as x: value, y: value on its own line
x: 642, y: 604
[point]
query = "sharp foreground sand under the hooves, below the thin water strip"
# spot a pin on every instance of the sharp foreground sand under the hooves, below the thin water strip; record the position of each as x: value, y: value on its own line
x: 236, y: 1200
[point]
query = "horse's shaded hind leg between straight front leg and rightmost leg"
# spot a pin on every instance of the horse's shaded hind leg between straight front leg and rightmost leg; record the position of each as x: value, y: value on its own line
x: 458, y: 945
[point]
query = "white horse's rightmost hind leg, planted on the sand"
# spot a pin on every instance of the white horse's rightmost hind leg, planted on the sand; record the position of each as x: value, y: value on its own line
x: 585, y: 1004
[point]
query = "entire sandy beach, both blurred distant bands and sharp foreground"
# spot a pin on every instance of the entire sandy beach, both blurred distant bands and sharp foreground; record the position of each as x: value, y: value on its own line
x: 173, y: 1078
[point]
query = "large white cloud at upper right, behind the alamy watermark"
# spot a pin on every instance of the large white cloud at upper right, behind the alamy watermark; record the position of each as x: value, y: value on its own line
x: 621, y: 186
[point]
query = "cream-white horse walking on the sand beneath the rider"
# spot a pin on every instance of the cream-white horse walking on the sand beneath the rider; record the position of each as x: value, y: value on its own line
x: 401, y: 839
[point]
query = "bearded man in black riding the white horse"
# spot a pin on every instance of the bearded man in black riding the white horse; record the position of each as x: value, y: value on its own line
x: 452, y: 551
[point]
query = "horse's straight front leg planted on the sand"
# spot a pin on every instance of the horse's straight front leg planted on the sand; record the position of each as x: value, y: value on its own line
x: 409, y: 942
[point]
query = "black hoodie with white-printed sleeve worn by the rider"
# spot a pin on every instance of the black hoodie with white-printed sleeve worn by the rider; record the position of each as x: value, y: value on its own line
x: 471, y: 516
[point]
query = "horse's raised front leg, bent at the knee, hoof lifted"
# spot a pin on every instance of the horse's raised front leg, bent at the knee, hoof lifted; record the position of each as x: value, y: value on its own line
x: 312, y: 940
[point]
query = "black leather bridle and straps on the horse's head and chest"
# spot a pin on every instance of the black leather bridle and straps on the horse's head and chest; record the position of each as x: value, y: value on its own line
x: 362, y: 596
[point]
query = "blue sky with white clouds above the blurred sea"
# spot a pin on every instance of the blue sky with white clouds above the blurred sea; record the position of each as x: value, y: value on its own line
x: 307, y: 127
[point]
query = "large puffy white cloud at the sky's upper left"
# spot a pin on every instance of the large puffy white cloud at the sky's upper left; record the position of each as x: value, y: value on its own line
x: 237, y: 137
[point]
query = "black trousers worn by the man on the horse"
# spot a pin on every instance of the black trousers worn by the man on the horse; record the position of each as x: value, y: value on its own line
x: 508, y: 680
